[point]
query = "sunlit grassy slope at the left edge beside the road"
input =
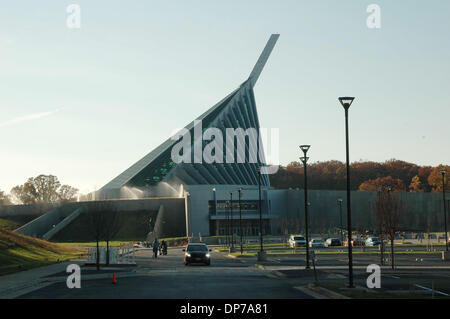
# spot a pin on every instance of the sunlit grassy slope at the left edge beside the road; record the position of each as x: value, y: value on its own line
x: 19, y: 252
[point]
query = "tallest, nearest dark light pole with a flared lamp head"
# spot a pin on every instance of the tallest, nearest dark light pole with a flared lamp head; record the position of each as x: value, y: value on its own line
x: 346, y: 102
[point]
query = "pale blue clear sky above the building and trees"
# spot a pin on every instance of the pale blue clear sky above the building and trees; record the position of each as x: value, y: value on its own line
x: 85, y: 104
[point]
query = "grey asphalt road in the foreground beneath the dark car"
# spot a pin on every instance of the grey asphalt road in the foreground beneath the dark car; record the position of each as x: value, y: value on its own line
x: 167, y: 277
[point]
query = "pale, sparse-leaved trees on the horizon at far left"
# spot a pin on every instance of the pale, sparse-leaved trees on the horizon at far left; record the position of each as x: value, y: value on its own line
x: 39, y: 189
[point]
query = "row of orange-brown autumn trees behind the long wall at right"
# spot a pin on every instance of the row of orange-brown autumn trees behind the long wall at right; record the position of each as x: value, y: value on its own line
x: 398, y: 175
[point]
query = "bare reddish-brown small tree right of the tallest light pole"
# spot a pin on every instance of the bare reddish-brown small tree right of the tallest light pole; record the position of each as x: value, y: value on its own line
x: 388, y: 213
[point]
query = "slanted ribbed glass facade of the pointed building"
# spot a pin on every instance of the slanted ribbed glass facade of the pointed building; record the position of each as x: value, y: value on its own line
x: 237, y: 111
